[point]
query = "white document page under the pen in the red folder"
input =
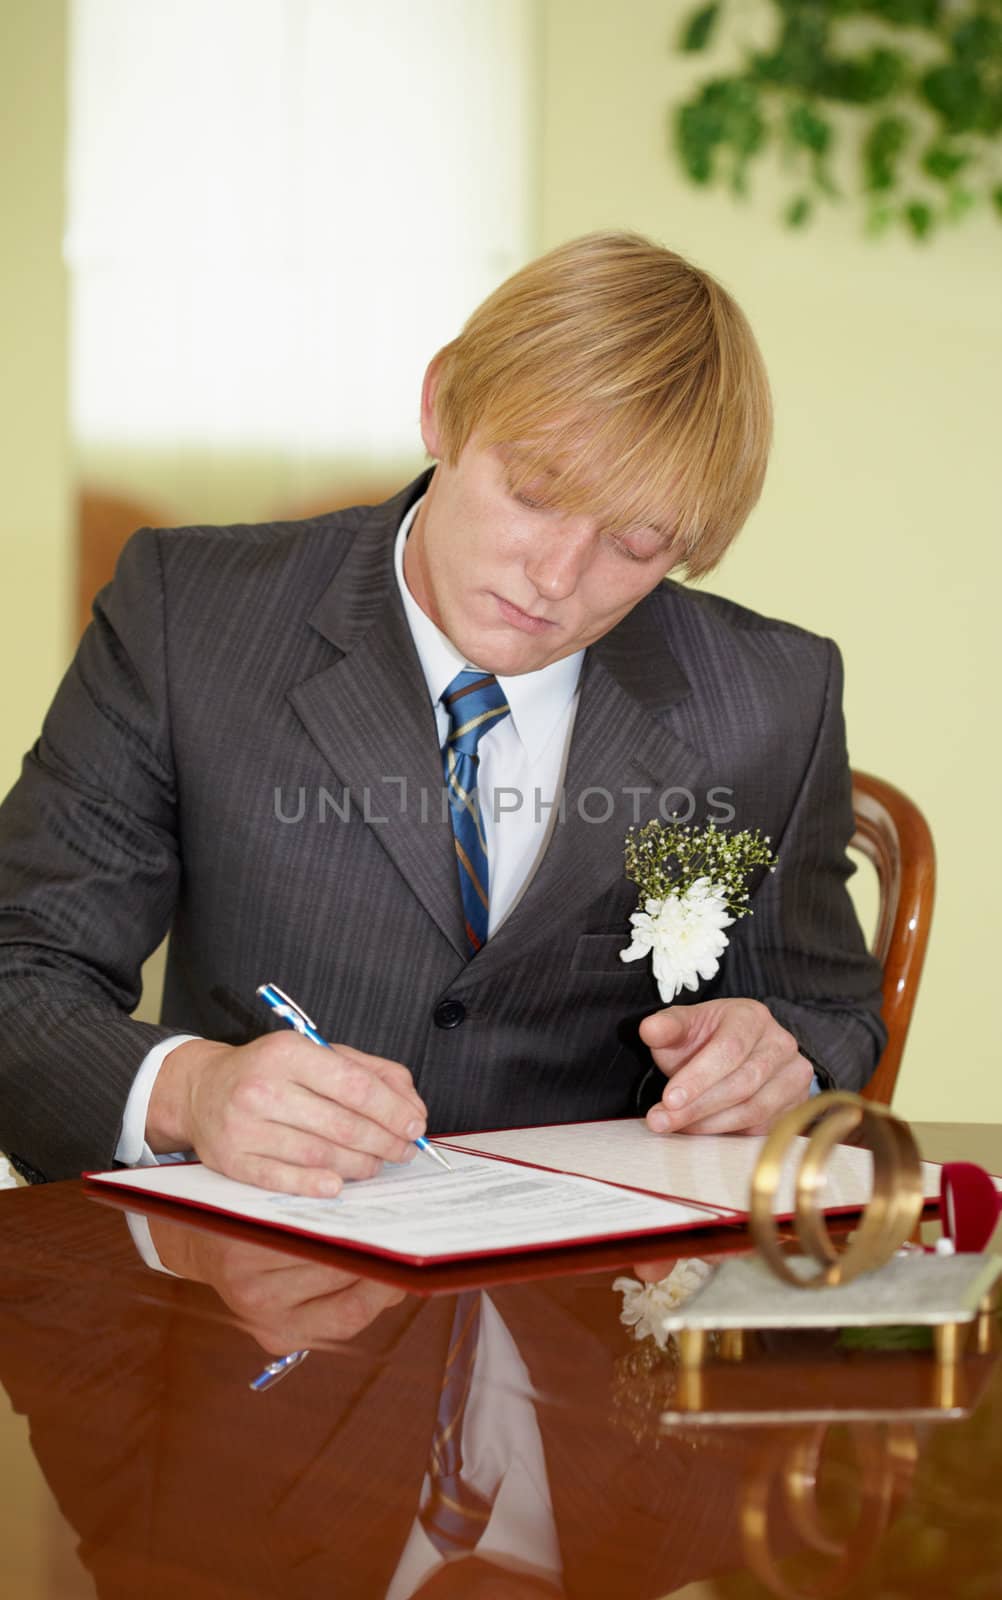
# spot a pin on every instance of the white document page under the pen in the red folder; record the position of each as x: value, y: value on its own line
x: 423, y: 1214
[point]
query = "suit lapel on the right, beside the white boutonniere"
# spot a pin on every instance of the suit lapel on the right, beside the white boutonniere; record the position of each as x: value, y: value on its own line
x: 622, y: 743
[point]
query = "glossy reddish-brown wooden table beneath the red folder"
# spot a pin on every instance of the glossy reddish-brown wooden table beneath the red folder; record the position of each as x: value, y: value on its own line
x: 135, y: 1462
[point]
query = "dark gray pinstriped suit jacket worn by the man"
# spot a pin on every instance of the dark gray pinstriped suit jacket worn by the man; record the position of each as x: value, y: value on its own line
x: 238, y: 676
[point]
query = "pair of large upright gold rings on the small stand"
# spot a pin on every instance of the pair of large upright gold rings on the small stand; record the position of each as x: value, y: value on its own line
x: 886, y: 1223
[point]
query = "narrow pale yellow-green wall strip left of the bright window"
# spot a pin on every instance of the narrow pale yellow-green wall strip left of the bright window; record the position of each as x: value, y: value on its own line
x: 36, y: 550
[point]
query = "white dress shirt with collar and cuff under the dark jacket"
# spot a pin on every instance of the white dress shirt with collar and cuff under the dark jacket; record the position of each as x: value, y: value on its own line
x: 523, y: 762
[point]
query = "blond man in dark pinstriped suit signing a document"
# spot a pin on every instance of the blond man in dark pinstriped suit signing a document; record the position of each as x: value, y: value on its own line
x: 247, y: 753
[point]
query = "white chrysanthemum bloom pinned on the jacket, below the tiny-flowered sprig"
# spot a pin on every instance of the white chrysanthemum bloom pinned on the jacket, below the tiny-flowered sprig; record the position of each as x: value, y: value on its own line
x: 684, y: 935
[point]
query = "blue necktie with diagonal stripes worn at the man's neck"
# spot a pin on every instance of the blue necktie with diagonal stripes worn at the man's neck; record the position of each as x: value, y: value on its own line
x: 475, y: 703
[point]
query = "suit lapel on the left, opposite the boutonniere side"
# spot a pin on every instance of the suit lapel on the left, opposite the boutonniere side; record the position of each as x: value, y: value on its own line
x: 372, y: 719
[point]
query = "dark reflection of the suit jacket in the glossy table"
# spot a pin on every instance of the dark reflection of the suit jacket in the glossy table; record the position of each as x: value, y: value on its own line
x: 178, y: 1481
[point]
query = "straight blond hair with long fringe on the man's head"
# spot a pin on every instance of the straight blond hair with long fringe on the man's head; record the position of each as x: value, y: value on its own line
x: 630, y: 378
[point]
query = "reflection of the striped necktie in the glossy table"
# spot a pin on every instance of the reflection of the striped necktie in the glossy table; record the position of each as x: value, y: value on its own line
x: 457, y: 1514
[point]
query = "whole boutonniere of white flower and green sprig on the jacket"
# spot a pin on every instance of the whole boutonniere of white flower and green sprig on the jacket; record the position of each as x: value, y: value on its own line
x: 694, y: 886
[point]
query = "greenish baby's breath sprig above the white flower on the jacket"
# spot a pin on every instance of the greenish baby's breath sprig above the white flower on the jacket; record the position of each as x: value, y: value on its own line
x: 667, y: 858
